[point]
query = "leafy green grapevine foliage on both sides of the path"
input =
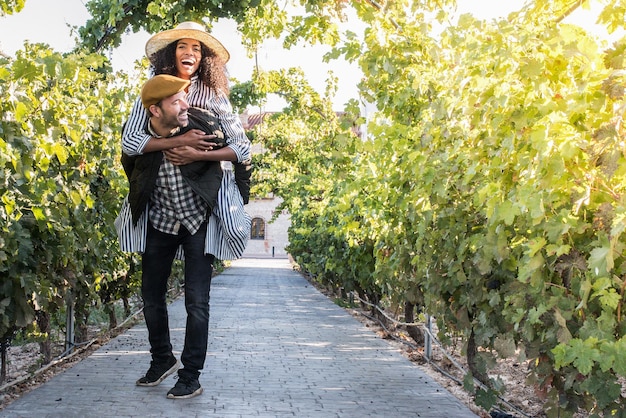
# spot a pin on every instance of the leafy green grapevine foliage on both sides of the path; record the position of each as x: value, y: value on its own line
x: 488, y: 190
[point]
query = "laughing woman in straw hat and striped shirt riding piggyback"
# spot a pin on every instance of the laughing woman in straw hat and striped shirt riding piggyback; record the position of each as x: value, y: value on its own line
x: 191, y: 53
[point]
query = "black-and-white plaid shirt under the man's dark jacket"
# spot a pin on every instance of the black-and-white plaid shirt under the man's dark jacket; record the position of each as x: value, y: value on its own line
x: 173, y: 202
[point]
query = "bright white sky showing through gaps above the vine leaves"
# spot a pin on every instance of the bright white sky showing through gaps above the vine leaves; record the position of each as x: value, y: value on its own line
x: 47, y: 22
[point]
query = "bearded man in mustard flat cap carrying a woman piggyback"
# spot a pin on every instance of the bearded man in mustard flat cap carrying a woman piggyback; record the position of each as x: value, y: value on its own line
x: 177, y: 192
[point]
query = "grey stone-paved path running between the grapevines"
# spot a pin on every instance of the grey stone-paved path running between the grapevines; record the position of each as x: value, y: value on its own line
x: 277, y: 348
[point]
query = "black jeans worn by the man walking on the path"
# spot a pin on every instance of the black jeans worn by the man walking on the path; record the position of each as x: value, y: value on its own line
x: 157, y: 265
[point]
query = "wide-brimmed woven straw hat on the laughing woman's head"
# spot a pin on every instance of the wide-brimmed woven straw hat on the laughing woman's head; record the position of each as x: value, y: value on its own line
x: 191, y: 30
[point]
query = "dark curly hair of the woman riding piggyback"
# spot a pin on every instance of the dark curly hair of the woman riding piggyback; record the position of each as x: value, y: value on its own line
x: 212, y: 70
